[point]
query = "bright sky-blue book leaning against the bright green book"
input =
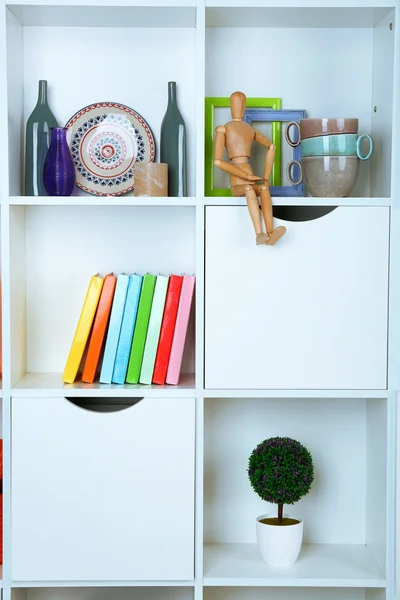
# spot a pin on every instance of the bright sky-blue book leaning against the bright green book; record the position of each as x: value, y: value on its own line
x: 127, y: 329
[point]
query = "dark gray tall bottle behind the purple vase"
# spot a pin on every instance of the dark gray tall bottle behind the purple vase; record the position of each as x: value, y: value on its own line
x: 37, y: 143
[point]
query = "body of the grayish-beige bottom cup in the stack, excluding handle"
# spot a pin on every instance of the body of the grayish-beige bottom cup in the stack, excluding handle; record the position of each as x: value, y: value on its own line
x: 330, y: 176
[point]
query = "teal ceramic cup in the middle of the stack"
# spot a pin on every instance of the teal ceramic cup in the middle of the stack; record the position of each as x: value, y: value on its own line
x: 343, y: 144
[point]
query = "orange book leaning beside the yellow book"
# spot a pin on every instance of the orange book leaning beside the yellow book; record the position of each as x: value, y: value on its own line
x: 99, y: 328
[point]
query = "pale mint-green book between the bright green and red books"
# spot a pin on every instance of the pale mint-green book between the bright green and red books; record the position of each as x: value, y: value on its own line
x: 153, y: 332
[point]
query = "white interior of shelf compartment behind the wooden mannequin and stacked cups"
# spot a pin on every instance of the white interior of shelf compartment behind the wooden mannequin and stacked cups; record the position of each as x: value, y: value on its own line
x: 363, y: 61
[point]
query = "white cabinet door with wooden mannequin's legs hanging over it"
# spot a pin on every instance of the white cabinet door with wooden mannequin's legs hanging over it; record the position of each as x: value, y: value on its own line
x: 308, y: 313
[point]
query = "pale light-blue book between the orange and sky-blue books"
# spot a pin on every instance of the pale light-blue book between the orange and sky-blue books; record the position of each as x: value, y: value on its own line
x: 114, y: 328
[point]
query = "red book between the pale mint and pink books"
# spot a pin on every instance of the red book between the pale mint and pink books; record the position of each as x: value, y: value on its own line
x: 167, y: 329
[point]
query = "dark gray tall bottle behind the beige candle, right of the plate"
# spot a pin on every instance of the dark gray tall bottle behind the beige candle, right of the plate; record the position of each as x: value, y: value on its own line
x: 173, y: 145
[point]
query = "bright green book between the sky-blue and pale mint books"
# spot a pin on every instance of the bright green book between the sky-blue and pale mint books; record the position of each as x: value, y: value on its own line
x: 140, y: 333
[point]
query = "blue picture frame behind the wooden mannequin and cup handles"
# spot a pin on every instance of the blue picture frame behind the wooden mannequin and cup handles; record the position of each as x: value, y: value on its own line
x: 281, y: 115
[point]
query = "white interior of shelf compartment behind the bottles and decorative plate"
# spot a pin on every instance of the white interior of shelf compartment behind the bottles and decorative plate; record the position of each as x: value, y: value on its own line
x: 36, y: 48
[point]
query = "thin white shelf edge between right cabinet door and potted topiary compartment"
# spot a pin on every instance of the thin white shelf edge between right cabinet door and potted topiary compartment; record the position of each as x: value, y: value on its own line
x: 227, y: 393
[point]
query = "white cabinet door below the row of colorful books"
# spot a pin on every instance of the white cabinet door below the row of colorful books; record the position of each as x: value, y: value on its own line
x: 102, y: 496
